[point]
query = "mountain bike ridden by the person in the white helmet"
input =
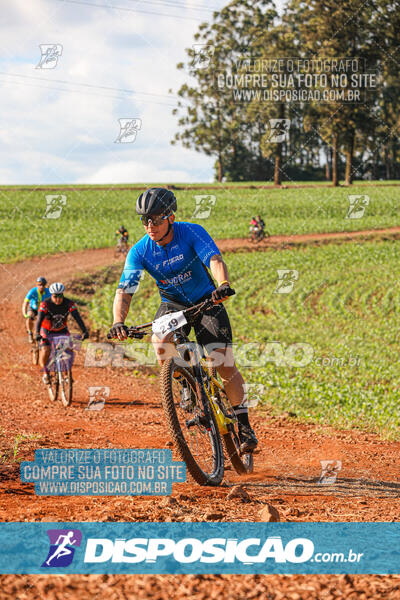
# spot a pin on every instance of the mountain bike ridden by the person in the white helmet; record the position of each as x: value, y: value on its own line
x: 59, y: 367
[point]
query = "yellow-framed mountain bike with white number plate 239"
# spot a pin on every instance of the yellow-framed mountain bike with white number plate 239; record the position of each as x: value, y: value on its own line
x: 197, y: 409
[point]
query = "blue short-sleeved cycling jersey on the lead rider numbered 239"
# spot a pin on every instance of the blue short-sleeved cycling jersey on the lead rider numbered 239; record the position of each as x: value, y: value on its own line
x: 178, y: 268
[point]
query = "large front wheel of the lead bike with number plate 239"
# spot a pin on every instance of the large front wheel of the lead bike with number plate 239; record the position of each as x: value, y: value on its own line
x: 196, y: 437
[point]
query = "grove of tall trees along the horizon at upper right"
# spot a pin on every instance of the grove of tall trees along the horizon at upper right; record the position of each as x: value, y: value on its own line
x: 331, y: 139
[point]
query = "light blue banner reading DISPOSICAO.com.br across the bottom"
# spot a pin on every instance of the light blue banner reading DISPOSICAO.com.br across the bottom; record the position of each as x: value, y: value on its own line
x: 196, y: 548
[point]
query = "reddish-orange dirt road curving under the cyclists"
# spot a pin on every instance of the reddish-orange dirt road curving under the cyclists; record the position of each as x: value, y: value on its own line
x: 287, y: 466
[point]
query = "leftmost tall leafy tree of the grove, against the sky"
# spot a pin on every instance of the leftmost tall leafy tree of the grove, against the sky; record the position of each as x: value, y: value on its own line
x: 213, y: 121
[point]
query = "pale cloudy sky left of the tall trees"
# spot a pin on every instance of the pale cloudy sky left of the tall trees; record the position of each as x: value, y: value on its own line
x: 113, y: 62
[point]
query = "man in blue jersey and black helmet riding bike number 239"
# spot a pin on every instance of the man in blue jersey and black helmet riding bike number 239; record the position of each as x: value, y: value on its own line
x: 179, y: 257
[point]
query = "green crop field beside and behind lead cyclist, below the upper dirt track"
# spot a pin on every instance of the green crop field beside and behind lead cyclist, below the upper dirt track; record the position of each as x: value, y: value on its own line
x: 326, y: 351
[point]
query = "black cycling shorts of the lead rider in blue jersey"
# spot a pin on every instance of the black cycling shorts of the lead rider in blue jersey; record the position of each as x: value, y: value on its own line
x: 213, y: 327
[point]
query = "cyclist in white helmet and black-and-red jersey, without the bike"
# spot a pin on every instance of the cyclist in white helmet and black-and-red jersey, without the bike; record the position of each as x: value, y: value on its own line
x: 52, y: 320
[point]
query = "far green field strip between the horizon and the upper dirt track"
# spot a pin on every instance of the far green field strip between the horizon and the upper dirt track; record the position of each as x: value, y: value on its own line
x: 89, y: 217
